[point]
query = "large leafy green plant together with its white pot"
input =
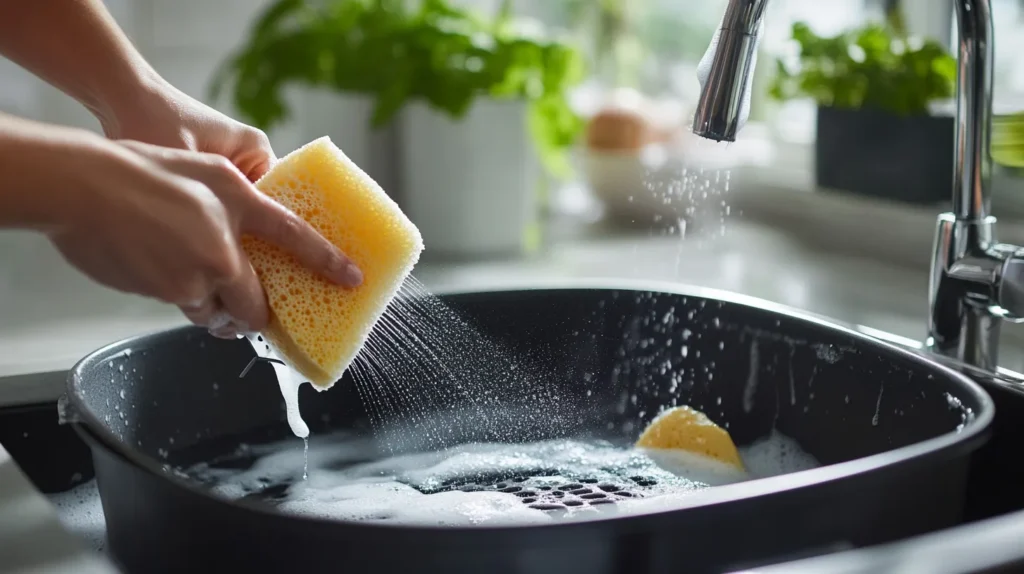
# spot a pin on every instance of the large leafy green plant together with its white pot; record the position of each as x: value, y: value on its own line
x: 481, y: 100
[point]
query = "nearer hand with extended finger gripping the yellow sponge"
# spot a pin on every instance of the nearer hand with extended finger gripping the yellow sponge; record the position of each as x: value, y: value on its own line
x: 165, y: 224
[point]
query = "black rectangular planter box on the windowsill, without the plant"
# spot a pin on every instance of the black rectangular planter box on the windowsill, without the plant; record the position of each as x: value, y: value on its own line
x: 880, y: 155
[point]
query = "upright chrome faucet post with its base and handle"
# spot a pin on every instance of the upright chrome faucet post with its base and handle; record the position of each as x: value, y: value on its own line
x: 975, y: 282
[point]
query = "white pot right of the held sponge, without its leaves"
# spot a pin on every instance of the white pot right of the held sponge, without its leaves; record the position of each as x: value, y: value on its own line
x: 470, y: 186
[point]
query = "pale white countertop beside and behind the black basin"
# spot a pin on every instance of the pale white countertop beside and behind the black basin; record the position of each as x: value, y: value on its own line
x: 48, y: 330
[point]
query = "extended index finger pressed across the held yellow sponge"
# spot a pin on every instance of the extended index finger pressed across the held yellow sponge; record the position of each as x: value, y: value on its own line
x: 276, y: 224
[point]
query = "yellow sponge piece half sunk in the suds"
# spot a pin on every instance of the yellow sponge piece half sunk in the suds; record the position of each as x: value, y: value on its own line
x: 687, y: 429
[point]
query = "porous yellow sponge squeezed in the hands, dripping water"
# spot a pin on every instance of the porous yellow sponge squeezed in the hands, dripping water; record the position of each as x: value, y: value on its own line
x: 318, y: 327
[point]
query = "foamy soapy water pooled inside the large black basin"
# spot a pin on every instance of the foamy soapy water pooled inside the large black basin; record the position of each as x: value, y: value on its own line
x: 483, y: 484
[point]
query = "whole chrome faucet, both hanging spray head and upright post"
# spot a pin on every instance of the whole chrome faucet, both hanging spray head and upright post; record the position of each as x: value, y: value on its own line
x: 976, y: 283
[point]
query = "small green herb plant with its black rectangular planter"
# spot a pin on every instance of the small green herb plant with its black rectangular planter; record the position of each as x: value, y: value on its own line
x: 874, y: 87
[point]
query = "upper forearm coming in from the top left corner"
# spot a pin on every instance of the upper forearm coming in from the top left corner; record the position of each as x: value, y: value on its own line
x: 77, y: 47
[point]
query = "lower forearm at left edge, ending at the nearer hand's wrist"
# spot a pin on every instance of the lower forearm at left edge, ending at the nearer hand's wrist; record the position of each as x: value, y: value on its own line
x: 40, y: 190
